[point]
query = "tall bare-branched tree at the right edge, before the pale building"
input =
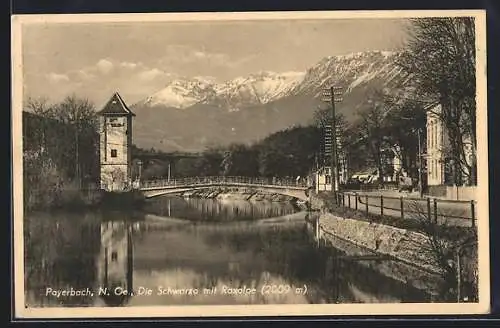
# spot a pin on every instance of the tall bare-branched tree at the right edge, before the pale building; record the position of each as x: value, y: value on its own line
x: 440, y: 61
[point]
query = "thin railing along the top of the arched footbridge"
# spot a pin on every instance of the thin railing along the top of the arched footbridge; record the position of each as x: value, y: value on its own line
x: 190, y: 181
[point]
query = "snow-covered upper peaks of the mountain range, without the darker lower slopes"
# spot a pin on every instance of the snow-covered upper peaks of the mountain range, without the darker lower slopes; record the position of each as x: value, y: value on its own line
x: 348, y: 71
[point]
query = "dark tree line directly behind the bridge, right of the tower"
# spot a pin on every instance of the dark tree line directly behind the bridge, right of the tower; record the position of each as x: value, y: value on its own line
x: 287, y: 153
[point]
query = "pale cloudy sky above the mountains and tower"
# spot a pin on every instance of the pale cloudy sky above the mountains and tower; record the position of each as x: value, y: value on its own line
x: 93, y: 60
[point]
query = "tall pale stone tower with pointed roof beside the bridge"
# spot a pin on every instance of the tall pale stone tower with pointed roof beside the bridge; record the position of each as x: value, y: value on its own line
x: 115, y: 121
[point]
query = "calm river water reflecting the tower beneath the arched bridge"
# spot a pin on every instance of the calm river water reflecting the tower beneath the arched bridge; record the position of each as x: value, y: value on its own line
x: 189, y: 252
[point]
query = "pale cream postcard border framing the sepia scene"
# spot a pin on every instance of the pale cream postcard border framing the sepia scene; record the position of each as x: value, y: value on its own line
x: 482, y: 306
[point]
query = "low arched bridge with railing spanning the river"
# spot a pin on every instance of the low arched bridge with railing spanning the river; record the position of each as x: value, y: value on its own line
x: 287, y: 187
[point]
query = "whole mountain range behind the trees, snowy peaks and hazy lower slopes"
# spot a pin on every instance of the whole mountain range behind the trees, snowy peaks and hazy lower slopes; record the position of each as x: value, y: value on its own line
x: 191, y: 114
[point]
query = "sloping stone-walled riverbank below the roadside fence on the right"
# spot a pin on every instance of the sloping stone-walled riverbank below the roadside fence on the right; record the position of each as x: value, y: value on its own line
x: 424, y: 256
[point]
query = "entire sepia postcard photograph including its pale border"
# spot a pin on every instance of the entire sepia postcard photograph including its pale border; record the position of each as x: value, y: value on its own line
x: 243, y: 164
